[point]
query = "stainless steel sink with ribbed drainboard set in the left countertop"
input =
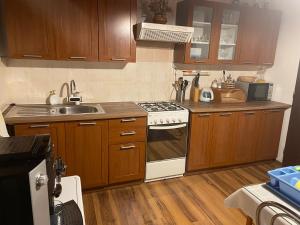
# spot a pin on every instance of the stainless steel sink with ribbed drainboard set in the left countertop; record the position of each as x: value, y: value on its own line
x: 47, y: 110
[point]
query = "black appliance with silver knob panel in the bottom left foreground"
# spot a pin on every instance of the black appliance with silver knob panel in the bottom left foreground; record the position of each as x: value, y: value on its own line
x: 27, y: 180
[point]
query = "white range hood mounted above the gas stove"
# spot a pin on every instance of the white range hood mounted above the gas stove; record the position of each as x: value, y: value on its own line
x: 164, y: 33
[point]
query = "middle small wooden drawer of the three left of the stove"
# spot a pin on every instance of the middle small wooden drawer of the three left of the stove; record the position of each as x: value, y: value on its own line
x: 122, y: 135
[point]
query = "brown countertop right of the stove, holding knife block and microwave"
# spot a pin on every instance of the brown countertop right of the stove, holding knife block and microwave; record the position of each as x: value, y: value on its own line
x: 199, y: 107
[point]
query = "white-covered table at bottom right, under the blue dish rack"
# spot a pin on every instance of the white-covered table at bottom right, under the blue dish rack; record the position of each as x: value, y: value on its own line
x: 249, y: 198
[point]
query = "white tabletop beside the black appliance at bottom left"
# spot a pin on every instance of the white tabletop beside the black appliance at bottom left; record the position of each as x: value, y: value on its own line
x: 71, y: 190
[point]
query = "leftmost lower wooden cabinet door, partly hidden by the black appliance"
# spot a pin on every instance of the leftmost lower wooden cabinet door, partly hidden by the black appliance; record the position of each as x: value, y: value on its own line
x: 55, y: 130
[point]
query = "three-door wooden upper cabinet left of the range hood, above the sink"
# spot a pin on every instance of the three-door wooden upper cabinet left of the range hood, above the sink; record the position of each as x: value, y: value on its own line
x: 88, y: 30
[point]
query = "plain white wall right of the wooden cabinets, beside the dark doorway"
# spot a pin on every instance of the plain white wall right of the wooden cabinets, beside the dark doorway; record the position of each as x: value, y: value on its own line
x: 284, y: 72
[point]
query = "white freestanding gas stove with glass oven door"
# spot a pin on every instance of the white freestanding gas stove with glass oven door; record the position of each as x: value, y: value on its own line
x: 167, y: 140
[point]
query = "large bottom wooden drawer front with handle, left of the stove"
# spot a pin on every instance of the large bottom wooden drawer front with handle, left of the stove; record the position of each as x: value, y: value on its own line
x: 126, y: 162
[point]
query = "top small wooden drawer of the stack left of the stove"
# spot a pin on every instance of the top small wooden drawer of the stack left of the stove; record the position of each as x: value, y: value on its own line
x: 126, y: 123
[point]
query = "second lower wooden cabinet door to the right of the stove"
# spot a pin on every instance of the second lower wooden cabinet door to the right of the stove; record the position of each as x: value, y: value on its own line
x: 221, y: 146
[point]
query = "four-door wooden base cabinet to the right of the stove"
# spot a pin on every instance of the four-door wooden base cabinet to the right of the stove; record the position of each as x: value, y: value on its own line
x: 222, y: 139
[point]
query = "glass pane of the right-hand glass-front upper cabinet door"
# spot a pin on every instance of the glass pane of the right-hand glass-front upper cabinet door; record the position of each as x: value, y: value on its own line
x: 228, y: 35
